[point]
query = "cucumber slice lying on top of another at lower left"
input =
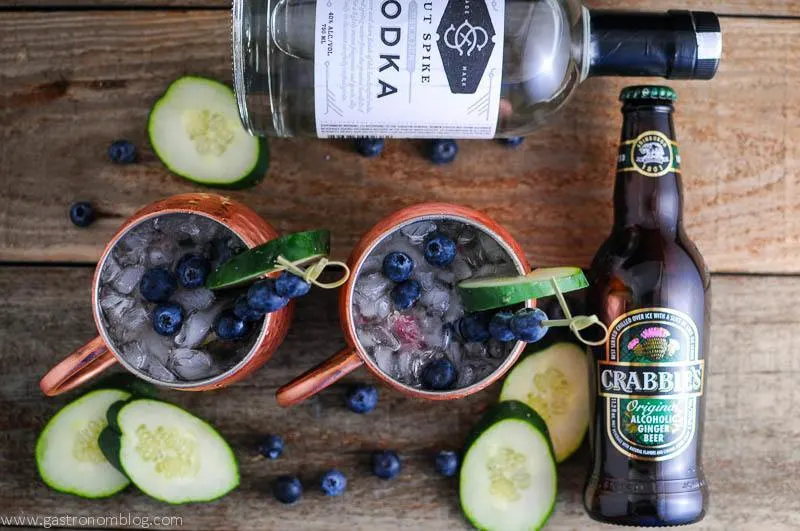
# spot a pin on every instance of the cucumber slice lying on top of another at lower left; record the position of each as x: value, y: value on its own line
x: 173, y: 456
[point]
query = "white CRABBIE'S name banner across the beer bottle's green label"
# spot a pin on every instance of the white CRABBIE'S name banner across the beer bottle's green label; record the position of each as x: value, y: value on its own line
x: 650, y: 380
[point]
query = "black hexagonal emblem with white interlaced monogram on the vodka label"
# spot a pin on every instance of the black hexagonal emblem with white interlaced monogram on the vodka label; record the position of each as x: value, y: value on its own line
x: 465, y: 38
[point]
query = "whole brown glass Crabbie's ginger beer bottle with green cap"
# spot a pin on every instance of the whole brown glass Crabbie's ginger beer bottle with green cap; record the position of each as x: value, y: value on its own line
x: 649, y: 285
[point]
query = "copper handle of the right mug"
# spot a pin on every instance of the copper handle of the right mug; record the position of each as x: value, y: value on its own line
x: 318, y: 378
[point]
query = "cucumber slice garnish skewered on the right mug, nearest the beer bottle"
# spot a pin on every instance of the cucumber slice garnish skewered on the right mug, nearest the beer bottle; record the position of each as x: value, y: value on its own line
x: 489, y: 293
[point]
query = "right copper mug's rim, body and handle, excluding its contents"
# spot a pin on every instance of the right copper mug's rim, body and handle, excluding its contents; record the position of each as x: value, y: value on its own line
x: 355, y: 355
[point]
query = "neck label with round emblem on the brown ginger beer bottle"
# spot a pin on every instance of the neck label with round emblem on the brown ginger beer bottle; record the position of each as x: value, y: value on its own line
x: 652, y: 154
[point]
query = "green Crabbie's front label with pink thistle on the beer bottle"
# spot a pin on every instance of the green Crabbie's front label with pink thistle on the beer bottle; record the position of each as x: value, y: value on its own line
x: 650, y: 382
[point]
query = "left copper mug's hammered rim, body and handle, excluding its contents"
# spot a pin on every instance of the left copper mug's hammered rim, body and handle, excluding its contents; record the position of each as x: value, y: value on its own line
x: 101, y: 353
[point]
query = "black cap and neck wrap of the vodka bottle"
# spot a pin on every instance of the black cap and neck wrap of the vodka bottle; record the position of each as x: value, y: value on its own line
x: 674, y: 45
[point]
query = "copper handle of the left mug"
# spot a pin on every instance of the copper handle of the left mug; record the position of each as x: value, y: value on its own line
x: 83, y: 364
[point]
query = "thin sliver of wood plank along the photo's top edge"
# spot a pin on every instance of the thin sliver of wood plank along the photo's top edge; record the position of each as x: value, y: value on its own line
x: 729, y: 7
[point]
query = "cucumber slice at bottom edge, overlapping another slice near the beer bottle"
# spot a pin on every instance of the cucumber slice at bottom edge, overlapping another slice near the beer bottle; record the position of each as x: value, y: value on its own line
x: 508, y: 477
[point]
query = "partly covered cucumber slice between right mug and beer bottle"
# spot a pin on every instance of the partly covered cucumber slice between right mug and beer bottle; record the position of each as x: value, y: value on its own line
x: 555, y: 383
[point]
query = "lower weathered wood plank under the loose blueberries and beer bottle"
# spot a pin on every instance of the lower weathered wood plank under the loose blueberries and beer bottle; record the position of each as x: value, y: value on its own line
x: 751, y: 454
